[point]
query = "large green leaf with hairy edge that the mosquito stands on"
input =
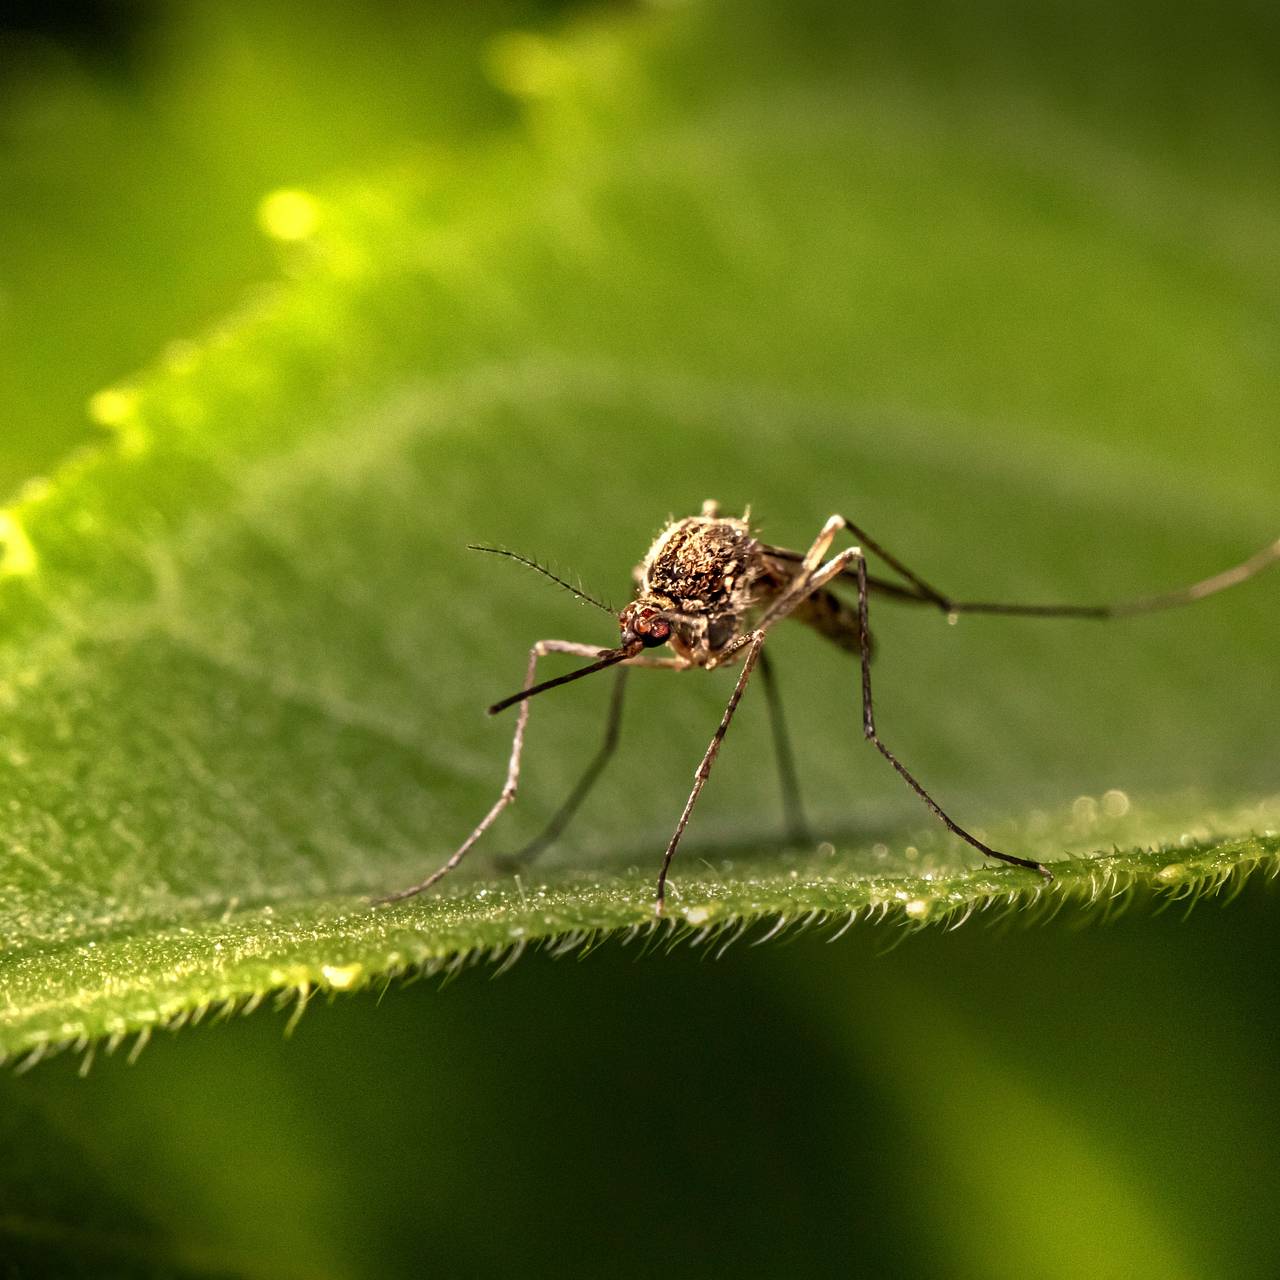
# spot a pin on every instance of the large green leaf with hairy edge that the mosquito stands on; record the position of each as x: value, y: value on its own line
x: 244, y: 651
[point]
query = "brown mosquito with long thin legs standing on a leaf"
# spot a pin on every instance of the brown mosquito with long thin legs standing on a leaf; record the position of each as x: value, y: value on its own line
x: 710, y: 593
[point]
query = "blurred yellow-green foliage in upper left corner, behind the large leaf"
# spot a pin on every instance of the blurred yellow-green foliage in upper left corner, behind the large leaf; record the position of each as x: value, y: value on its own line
x: 132, y: 176
